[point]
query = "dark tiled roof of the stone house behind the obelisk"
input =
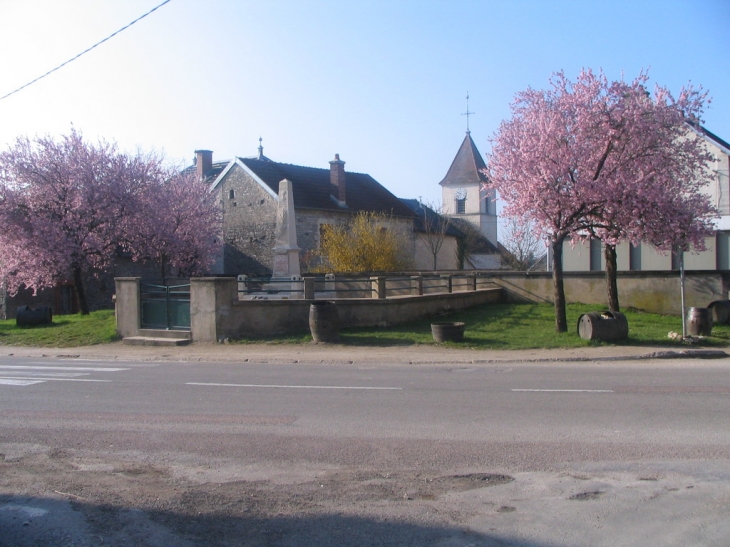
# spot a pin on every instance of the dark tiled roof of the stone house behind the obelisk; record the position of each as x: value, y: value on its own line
x: 312, y: 188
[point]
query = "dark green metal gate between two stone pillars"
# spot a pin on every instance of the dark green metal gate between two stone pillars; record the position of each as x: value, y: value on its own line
x: 165, y: 307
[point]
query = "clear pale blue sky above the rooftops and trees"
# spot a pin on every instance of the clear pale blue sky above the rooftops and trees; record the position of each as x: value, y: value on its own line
x: 382, y: 83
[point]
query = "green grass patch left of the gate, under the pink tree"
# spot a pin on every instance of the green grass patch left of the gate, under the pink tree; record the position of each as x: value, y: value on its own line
x: 66, y: 331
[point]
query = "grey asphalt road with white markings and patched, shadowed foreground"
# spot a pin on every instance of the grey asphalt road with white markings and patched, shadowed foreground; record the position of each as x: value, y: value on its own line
x: 166, y: 453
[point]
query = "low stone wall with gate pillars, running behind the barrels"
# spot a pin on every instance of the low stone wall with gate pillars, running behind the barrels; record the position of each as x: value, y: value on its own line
x: 216, y: 311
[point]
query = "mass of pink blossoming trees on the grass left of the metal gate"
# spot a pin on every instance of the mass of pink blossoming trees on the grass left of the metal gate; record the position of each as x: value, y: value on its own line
x: 67, y: 207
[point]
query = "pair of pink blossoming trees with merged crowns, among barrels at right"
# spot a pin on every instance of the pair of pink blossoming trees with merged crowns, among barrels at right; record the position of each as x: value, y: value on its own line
x: 596, y: 158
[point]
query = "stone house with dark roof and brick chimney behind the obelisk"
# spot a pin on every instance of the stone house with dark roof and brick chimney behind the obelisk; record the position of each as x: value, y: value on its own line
x: 248, y: 190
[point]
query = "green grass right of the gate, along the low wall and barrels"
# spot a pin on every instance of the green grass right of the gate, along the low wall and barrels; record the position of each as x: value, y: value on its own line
x: 517, y: 326
